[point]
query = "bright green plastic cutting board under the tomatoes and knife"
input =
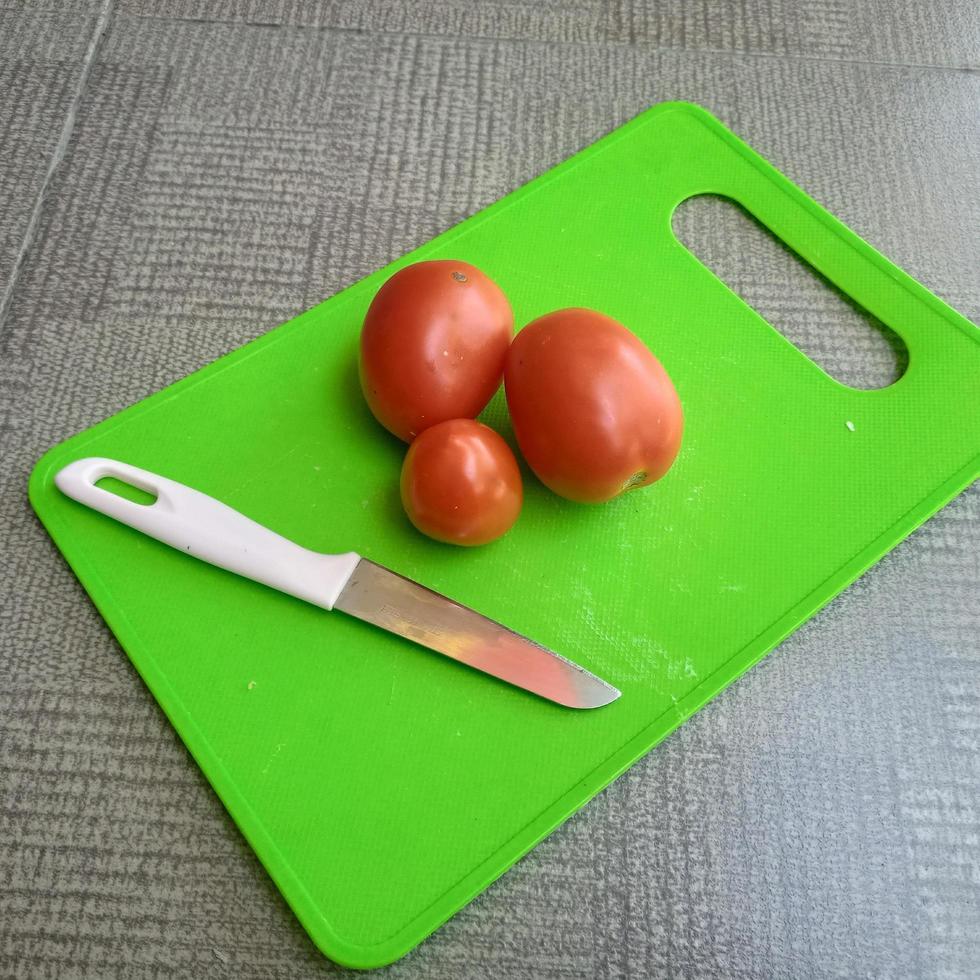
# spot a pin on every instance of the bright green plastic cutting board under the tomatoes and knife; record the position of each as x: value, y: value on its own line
x: 383, y: 786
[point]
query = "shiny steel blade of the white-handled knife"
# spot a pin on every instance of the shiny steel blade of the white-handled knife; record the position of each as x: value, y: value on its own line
x: 397, y: 604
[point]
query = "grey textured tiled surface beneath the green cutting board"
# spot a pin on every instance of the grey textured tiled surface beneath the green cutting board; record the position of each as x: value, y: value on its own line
x: 229, y: 165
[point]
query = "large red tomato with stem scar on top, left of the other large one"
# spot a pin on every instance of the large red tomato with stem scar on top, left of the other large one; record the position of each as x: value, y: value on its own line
x: 433, y: 346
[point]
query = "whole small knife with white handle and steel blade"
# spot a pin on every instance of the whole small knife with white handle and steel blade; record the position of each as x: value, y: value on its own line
x: 207, y: 529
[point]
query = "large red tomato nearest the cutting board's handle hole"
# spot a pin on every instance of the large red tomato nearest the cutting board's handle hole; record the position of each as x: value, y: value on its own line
x: 594, y: 411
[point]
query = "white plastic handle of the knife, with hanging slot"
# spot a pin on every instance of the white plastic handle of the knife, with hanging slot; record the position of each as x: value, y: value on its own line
x: 201, y: 526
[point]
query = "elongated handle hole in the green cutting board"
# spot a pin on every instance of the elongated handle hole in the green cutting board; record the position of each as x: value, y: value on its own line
x: 825, y: 324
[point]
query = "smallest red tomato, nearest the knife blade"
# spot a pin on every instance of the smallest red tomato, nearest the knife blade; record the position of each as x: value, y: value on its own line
x: 461, y: 484
